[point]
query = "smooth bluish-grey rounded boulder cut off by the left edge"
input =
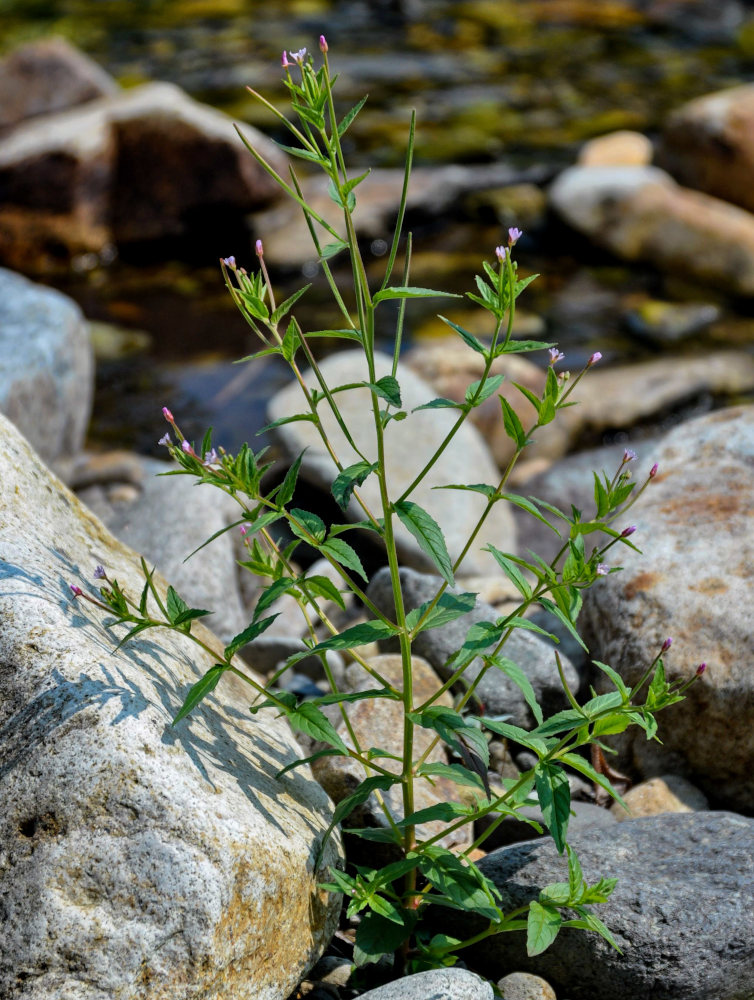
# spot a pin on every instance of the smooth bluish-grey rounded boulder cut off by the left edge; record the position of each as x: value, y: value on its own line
x: 46, y: 367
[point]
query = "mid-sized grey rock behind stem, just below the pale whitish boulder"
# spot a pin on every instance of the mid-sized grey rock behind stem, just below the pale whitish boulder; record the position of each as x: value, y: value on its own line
x: 498, y: 693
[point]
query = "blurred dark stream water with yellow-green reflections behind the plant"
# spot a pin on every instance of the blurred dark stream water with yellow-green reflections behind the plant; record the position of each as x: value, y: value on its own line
x: 519, y: 81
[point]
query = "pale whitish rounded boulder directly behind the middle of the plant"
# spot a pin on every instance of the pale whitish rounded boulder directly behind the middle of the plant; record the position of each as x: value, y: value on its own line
x: 466, y: 460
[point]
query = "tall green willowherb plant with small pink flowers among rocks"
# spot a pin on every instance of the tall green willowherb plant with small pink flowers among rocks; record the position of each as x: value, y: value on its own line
x: 394, y: 899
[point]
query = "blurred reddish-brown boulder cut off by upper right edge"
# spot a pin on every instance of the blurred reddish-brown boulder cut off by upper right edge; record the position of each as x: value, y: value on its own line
x: 707, y: 144
